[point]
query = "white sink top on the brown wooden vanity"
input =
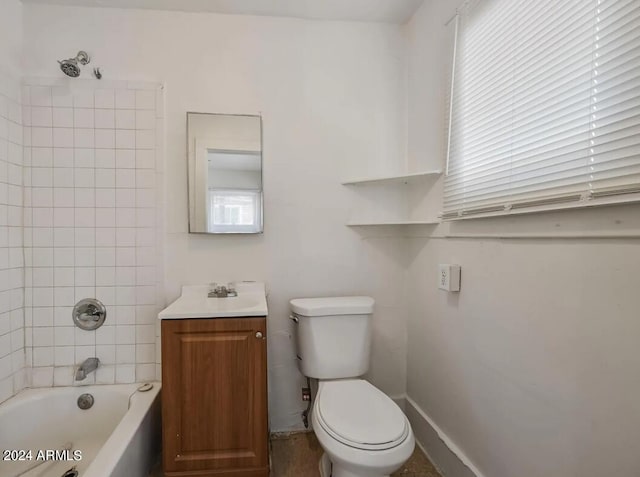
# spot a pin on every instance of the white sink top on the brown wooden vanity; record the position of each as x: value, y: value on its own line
x: 194, y: 303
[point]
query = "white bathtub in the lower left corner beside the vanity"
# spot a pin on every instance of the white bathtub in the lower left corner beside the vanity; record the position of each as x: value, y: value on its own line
x: 119, y: 436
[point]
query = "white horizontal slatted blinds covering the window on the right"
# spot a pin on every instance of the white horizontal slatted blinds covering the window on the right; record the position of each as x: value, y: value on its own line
x: 545, y: 106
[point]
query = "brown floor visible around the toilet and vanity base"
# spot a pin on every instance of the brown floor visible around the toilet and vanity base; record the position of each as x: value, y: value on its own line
x: 297, y: 455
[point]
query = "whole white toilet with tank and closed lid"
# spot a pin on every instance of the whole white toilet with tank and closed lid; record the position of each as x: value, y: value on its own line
x: 362, y: 431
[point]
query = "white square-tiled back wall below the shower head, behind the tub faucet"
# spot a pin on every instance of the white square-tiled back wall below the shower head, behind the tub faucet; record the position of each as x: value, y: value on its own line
x: 91, y: 226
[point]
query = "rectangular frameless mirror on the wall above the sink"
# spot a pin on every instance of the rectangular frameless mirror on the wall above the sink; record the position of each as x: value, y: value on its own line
x: 225, y: 173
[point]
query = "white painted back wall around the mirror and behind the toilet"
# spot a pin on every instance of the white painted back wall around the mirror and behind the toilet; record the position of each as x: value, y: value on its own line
x: 332, y: 96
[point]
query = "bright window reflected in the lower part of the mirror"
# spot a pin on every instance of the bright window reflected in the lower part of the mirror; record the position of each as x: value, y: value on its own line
x: 235, y: 211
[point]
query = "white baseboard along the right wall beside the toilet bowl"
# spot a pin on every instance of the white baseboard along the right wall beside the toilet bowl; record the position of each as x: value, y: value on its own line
x: 441, y: 450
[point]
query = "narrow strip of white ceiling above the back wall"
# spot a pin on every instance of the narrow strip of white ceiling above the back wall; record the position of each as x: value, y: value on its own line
x: 384, y: 11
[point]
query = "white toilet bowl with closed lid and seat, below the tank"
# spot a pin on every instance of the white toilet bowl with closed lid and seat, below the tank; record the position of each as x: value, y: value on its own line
x: 362, y: 431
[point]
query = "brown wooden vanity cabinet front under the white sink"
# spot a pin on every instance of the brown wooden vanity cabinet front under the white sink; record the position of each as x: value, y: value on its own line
x: 214, y: 397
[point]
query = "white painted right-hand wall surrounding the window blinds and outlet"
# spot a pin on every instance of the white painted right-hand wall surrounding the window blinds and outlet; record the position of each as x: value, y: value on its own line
x: 532, y: 369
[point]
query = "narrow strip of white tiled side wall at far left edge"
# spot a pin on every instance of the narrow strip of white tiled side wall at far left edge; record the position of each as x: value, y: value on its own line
x: 12, y: 332
